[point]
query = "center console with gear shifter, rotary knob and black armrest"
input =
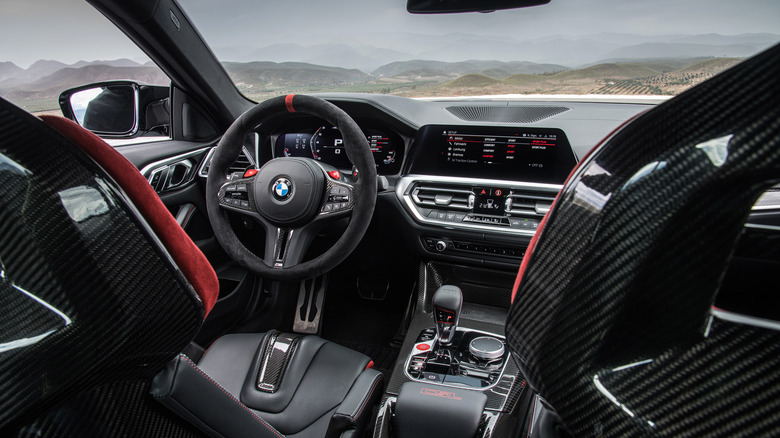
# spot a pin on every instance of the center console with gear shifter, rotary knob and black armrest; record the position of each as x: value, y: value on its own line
x: 456, y: 377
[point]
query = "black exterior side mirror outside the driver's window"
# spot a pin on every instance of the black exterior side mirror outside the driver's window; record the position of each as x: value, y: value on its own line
x: 121, y: 109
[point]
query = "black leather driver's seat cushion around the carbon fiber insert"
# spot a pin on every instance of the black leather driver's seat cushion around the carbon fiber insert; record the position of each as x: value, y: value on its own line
x: 326, y: 389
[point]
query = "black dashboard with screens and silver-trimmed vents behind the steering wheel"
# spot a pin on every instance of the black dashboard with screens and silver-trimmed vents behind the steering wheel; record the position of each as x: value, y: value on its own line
x: 467, y: 180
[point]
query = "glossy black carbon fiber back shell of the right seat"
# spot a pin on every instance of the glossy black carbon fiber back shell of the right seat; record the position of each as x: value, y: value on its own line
x: 612, y: 319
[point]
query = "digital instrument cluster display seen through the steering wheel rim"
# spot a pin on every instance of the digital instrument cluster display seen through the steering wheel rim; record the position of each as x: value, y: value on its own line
x: 325, y: 143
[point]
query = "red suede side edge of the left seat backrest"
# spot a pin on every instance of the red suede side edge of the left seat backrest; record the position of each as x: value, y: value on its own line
x: 188, y: 257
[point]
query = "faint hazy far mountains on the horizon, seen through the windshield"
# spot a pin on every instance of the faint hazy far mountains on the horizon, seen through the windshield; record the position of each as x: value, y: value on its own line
x: 380, y: 48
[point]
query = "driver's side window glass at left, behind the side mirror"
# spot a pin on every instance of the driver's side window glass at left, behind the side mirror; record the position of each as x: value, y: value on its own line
x: 61, y: 45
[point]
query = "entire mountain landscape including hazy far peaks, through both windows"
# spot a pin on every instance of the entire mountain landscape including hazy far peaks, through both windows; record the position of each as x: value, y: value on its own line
x: 407, y: 63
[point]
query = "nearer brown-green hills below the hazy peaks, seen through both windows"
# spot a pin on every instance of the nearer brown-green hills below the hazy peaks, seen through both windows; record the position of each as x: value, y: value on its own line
x: 263, y: 79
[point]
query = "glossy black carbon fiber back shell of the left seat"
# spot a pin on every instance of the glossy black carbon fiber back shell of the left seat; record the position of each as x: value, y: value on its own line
x: 89, y: 292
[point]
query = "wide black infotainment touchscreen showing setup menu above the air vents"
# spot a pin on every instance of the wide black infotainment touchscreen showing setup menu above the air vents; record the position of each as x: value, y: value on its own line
x: 517, y: 154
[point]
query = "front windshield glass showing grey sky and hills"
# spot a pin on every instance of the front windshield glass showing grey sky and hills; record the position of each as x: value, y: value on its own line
x: 612, y: 47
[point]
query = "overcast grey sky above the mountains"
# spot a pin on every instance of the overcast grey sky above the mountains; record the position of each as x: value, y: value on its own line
x: 71, y: 30
